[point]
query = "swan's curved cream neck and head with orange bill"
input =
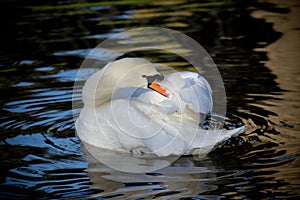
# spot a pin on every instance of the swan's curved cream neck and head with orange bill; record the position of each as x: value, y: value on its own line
x: 126, y: 72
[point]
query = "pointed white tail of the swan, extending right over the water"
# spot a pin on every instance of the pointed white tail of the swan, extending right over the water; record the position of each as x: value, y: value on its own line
x: 206, y: 140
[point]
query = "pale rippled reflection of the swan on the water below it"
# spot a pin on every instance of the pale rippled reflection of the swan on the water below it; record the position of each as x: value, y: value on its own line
x: 182, y: 179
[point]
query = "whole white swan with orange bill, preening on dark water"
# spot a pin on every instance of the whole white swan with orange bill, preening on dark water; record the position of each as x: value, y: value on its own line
x: 130, y: 106
